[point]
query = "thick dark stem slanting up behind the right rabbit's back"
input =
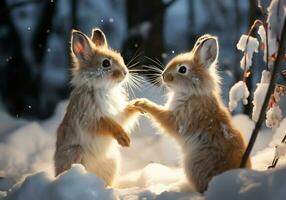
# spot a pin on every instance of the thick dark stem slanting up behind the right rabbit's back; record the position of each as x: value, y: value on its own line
x: 266, y: 100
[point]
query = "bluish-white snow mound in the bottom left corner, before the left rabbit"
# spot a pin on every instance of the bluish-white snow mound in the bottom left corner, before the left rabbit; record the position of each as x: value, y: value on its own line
x: 74, y: 184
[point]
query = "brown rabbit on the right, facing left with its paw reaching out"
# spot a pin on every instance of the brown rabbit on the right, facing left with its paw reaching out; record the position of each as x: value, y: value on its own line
x: 195, y: 115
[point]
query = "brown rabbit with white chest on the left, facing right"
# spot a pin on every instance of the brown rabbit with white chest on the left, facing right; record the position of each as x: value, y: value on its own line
x: 97, y: 110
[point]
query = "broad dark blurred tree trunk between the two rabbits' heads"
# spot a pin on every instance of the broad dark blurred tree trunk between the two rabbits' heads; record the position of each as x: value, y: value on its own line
x: 145, y: 21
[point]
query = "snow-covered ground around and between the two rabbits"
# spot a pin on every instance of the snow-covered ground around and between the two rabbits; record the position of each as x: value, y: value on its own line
x: 150, y: 168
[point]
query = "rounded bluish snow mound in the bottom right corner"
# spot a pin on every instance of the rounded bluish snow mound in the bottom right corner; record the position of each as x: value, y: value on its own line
x: 243, y: 184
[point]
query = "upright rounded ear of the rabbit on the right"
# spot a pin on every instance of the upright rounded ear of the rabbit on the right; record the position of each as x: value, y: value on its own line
x: 206, y: 50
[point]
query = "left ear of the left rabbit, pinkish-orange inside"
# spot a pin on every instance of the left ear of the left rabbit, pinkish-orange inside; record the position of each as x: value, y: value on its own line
x: 80, y: 45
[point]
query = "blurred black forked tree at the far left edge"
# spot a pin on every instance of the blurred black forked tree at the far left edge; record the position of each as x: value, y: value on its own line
x: 21, y: 81
